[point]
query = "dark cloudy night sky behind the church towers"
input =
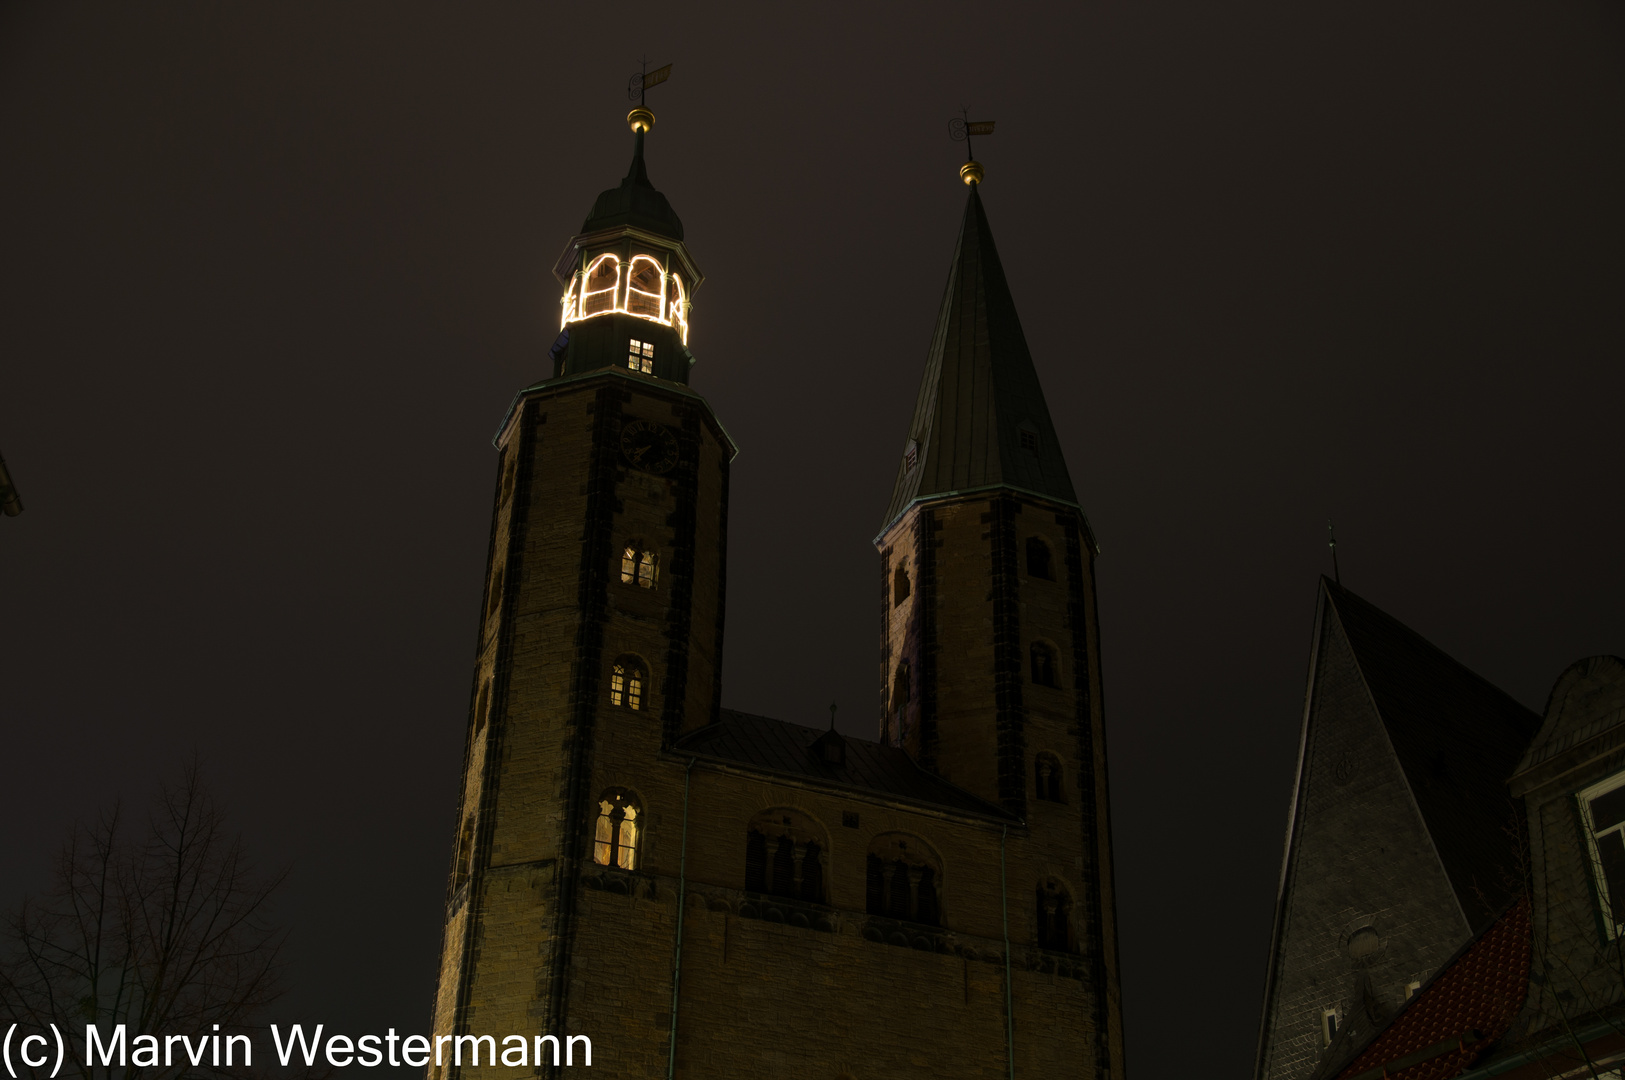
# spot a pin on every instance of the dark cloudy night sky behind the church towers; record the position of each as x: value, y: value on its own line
x: 272, y: 272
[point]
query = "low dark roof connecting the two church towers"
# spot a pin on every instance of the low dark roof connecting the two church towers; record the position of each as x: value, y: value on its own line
x: 787, y: 750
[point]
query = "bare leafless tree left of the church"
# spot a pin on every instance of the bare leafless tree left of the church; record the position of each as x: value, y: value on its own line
x: 167, y: 933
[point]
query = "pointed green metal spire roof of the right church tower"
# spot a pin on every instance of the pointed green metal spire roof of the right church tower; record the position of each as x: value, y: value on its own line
x: 982, y: 420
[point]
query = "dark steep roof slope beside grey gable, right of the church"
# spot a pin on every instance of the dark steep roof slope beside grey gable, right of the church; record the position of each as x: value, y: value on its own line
x: 1458, y: 740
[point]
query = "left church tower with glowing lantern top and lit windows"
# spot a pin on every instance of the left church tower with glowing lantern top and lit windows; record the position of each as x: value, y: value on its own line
x: 600, y: 634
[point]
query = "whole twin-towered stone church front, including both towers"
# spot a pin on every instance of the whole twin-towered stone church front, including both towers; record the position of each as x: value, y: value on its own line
x: 709, y: 892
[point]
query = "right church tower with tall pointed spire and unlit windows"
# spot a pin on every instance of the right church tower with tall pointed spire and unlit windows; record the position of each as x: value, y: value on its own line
x: 990, y: 657
